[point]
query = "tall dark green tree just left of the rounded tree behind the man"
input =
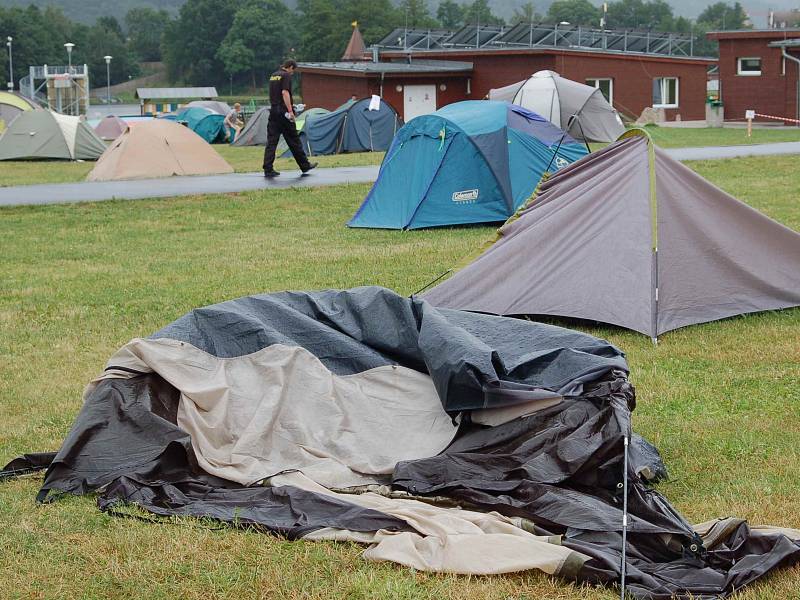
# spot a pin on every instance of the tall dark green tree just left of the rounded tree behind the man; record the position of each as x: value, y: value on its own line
x: 191, y: 41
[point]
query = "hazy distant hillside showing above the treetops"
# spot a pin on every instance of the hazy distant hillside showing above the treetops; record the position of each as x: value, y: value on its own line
x: 87, y: 11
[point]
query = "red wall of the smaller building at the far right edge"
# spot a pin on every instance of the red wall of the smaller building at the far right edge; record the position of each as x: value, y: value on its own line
x: 770, y: 93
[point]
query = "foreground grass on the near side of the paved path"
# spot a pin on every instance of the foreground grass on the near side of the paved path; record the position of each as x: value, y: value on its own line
x: 720, y: 400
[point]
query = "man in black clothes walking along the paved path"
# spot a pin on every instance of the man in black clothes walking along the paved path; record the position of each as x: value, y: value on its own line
x: 282, y: 121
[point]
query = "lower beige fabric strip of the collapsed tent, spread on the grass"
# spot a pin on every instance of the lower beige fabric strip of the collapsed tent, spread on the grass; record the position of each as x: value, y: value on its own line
x: 447, y: 540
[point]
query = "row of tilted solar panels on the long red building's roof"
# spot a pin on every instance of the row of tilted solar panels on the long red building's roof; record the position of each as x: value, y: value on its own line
x: 540, y: 36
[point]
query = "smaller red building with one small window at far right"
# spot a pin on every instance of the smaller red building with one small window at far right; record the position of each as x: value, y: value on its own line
x: 757, y: 71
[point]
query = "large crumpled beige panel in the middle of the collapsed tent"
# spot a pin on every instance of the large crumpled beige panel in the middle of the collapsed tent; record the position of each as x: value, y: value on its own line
x: 280, y: 408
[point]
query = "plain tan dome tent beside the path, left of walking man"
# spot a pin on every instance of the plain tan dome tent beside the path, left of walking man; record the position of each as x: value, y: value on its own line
x: 158, y: 148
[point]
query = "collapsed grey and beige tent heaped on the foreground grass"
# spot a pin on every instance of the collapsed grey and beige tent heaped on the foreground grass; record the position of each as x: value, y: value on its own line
x: 445, y: 441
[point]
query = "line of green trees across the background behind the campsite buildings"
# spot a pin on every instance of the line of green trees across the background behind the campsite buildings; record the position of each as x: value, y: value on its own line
x: 215, y: 42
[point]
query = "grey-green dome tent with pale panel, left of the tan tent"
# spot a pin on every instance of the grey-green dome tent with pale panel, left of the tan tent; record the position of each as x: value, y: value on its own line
x: 43, y: 134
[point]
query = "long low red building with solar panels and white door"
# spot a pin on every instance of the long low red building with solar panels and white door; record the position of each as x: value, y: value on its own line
x: 634, y: 69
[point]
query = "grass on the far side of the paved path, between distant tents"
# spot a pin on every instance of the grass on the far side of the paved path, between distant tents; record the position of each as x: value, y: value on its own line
x: 249, y: 159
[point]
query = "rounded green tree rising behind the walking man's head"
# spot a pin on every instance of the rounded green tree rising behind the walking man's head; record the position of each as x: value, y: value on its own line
x: 260, y: 37
